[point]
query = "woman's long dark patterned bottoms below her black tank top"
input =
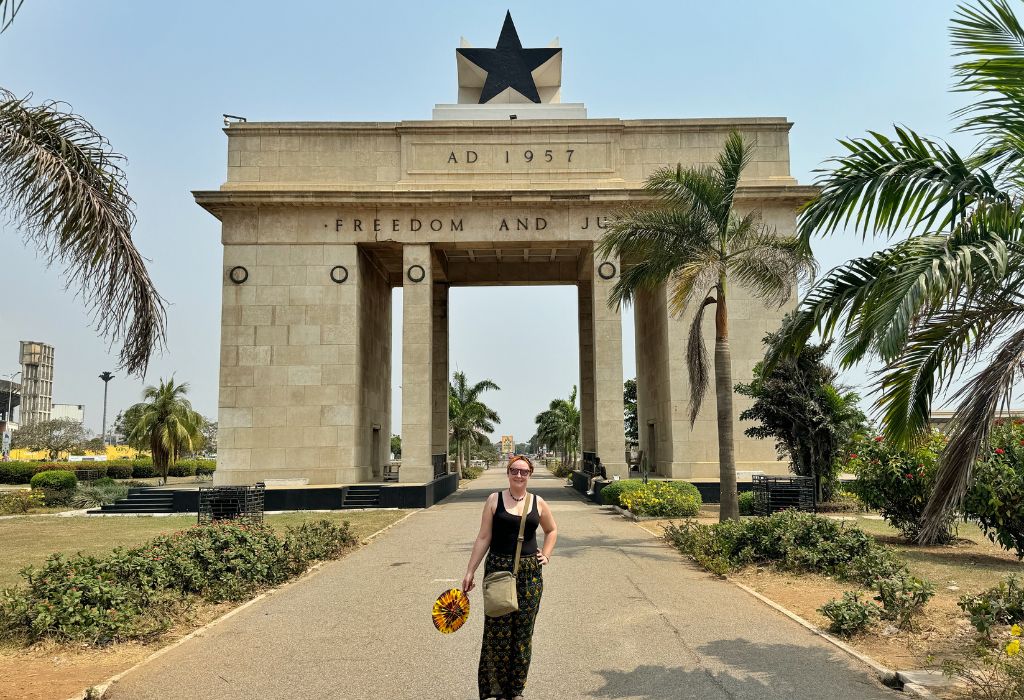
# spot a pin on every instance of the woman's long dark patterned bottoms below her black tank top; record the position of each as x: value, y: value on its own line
x: 508, y: 640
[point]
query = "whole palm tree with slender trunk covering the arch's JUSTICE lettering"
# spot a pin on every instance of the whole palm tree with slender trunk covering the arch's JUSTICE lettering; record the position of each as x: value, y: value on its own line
x: 699, y: 245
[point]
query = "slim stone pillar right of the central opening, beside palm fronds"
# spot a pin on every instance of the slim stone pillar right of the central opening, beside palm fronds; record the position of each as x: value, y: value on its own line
x: 610, y: 427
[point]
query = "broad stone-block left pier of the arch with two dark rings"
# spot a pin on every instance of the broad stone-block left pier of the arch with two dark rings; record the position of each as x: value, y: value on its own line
x: 289, y: 356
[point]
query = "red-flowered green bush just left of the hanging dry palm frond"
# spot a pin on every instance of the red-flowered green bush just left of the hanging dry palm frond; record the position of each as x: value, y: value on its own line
x: 899, y: 483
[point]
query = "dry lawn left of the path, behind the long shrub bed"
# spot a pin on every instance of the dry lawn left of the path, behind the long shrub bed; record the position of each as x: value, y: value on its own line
x: 31, y: 540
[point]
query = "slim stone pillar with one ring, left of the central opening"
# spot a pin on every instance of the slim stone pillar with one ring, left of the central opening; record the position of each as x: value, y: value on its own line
x: 417, y: 365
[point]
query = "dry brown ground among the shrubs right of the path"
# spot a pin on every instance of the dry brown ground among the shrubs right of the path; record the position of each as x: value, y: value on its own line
x: 969, y: 565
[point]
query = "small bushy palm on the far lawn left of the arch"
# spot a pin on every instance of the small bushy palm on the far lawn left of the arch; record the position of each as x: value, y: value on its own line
x: 168, y: 424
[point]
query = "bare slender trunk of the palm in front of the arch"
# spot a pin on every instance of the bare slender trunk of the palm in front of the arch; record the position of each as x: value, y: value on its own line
x: 723, y: 396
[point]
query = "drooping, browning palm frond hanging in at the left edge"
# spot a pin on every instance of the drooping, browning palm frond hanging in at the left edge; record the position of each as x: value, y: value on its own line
x: 65, y: 188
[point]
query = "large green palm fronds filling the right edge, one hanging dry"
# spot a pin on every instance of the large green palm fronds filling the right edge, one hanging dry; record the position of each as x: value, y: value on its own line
x: 948, y: 297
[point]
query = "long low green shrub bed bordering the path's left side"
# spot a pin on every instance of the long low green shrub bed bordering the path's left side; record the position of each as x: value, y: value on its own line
x: 131, y: 594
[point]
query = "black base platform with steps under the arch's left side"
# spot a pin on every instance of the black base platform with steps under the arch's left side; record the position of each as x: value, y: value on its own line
x: 303, y: 499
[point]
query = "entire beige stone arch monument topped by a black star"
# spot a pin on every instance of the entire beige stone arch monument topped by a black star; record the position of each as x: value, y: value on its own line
x: 509, y: 187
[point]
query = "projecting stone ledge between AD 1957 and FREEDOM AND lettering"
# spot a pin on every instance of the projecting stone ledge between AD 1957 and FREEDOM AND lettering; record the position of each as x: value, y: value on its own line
x: 219, y: 201
